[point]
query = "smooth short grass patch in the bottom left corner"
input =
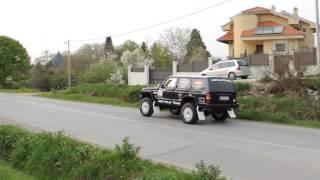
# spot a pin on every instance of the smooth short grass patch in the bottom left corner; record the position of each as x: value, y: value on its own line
x: 8, y: 173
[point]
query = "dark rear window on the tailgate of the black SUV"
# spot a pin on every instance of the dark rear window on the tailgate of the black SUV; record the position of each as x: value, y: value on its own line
x: 221, y: 85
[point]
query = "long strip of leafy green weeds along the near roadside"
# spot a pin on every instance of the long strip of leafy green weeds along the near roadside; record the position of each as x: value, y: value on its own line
x: 52, y: 155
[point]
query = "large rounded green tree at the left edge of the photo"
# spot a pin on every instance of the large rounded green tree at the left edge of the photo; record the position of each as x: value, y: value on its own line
x: 14, y: 61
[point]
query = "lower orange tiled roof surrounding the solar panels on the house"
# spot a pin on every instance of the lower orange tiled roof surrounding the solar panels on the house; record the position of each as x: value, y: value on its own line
x: 287, y: 30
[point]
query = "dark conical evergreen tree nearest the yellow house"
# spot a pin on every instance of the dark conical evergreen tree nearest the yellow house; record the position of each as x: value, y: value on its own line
x: 196, y: 50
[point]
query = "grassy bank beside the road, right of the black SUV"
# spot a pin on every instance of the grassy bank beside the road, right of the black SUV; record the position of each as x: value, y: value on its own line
x: 280, y: 109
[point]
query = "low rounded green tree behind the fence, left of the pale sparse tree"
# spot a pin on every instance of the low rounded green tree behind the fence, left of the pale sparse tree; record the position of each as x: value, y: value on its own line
x: 161, y: 55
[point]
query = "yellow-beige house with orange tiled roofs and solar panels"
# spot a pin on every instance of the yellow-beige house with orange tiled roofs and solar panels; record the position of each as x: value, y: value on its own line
x: 263, y: 31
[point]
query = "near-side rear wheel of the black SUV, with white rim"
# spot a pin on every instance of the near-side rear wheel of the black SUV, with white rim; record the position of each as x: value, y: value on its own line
x: 189, y: 113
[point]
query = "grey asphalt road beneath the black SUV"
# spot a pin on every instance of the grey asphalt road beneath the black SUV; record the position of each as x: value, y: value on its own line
x: 244, y: 150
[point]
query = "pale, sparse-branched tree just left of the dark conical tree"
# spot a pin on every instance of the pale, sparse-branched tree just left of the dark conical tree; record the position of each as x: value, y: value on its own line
x: 176, y: 39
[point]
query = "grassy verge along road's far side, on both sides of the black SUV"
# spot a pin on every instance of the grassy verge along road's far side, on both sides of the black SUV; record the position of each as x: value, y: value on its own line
x: 277, y: 109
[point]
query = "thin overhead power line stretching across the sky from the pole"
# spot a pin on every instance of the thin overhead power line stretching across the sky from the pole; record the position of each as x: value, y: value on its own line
x: 157, y: 24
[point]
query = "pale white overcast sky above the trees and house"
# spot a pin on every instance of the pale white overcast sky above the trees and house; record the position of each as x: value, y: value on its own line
x: 45, y: 24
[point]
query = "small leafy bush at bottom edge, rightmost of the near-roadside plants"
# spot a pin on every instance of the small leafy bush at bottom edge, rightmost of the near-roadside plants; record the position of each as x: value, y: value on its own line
x: 210, y: 172
